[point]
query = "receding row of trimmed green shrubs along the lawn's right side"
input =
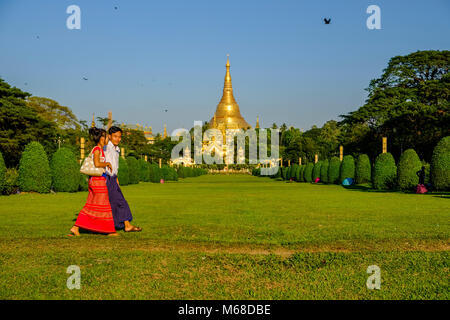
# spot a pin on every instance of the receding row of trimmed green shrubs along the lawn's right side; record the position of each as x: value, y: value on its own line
x: 385, y: 174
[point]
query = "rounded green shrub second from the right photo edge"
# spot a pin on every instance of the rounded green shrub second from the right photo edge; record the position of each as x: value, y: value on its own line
x: 408, y: 166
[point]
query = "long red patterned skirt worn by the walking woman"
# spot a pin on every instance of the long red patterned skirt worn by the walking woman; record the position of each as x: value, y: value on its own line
x: 96, y: 214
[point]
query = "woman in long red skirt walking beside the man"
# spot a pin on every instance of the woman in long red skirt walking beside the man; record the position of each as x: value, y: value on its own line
x: 96, y: 214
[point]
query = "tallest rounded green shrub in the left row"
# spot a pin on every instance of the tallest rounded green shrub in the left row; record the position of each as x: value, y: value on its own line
x: 34, y: 169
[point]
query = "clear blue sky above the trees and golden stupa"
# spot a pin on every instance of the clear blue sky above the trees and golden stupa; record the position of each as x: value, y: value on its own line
x: 148, y: 56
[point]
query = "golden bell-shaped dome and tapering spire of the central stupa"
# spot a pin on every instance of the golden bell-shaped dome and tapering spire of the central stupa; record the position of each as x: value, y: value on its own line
x: 227, y: 115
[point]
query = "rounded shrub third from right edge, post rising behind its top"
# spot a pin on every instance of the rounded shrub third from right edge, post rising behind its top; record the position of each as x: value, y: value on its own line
x: 384, y: 172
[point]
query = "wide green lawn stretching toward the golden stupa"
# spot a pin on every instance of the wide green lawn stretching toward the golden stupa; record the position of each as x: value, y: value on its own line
x: 231, y: 237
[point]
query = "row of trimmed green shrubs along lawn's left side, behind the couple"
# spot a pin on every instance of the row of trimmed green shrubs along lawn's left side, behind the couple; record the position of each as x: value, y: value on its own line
x: 61, y: 173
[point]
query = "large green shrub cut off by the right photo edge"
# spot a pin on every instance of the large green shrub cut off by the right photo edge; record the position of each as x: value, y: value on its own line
x: 440, y: 165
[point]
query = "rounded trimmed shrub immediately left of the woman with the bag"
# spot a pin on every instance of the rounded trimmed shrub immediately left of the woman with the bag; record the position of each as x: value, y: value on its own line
x: 65, y: 171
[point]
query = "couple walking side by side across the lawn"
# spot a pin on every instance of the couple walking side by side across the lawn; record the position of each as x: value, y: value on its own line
x: 106, y: 209
